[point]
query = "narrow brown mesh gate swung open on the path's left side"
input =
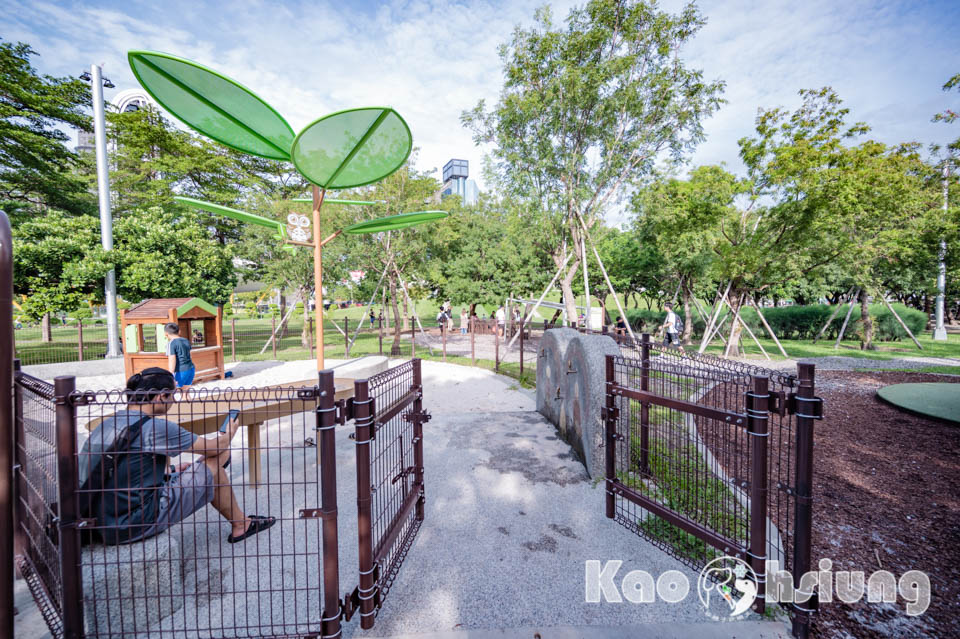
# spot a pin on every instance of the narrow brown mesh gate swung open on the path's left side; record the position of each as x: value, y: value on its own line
x: 390, y: 487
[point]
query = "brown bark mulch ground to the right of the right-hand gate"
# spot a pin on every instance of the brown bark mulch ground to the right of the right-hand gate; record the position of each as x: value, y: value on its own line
x: 886, y: 496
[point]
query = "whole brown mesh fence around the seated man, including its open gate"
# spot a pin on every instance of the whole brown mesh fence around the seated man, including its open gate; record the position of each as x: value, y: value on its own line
x: 100, y: 572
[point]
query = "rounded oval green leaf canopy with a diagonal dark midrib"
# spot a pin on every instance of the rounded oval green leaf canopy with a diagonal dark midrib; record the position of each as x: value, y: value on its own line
x: 352, y: 148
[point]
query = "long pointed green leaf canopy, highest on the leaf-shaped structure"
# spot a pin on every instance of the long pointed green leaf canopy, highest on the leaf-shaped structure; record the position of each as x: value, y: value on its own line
x: 213, y: 104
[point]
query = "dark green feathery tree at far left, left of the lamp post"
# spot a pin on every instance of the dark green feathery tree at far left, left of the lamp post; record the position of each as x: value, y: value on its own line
x: 36, y: 167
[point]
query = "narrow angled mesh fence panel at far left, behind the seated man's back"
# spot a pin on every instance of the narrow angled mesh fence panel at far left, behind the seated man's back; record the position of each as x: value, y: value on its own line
x: 36, y: 530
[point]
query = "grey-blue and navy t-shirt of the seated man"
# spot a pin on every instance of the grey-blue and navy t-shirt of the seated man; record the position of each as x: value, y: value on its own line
x: 131, y: 499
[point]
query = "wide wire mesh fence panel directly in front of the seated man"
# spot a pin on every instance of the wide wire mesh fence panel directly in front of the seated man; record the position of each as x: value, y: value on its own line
x: 207, y: 522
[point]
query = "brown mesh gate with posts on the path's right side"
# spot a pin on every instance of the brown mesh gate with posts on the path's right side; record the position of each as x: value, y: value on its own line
x: 707, y: 457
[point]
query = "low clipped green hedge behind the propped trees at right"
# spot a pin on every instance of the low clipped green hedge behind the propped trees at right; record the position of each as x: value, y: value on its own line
x: 801, y: 322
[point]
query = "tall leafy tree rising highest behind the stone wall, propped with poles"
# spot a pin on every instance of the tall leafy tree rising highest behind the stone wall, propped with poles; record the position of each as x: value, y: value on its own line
x: 587, y: 109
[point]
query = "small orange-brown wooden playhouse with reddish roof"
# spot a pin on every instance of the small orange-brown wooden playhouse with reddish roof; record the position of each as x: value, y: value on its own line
x: 145, y: 343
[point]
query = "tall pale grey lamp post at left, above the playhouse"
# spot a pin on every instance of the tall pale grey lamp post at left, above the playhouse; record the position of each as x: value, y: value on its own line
x: 106, y: 219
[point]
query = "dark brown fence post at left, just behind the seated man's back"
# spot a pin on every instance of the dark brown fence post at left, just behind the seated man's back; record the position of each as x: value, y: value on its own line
x: 70, y: 567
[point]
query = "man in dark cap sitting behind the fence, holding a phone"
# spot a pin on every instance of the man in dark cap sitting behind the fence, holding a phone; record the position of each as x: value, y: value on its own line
x: 139, y: 499
